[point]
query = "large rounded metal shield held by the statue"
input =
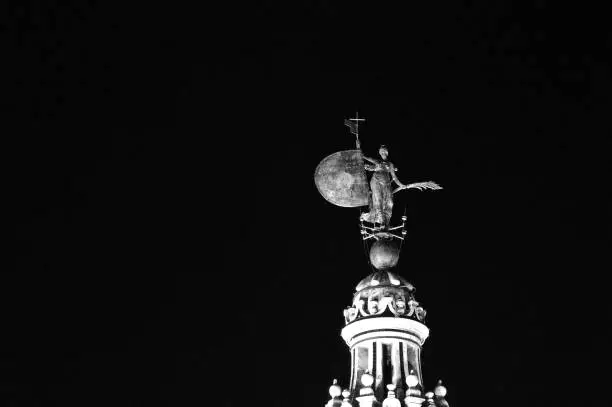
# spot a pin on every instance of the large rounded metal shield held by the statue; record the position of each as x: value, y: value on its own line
x: 341, y: 179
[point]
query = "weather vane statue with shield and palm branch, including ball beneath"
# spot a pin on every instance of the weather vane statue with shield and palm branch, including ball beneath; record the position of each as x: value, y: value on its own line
x: 341, y: 179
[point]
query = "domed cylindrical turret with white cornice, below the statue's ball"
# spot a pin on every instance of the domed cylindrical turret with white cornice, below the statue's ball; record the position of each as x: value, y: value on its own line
x: 385, y: 332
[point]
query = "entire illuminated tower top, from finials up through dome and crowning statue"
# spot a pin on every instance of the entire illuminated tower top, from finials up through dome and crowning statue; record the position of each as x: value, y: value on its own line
x: 384, y: 325
